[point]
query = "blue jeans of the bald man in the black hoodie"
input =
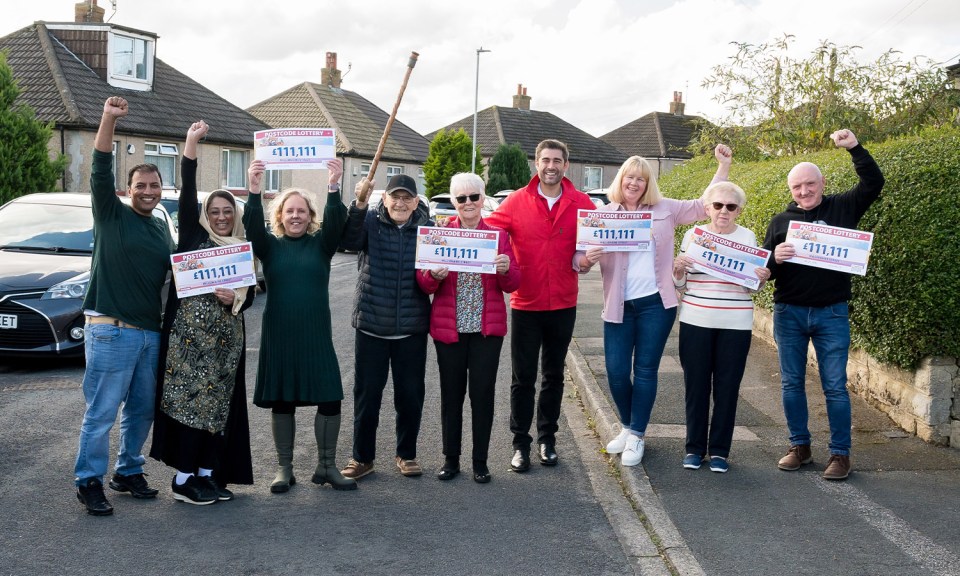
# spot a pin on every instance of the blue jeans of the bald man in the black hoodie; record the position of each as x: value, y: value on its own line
x: 829, y: 329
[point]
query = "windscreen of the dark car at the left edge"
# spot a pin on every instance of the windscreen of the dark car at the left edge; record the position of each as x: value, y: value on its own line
x: 47, y: 227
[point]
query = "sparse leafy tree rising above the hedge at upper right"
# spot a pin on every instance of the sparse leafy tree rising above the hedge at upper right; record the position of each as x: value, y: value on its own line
x: 777, y: 104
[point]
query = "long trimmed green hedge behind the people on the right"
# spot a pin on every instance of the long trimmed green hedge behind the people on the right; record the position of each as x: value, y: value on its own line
x: 907, y: 307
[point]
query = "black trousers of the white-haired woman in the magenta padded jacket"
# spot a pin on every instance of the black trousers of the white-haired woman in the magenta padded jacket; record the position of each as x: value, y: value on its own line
x: 469, y: 364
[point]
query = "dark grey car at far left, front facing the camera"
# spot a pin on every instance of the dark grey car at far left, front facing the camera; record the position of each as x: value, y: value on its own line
x: 46, y: 245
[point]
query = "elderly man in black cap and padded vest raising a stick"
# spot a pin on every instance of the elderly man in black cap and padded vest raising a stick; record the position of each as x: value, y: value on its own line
x: 392, y: 318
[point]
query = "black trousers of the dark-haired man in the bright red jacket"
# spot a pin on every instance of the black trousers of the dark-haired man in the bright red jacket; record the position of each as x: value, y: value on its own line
x: 542, y: 336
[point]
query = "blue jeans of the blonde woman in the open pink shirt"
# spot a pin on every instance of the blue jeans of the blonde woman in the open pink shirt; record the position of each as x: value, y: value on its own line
x: 637, y: 343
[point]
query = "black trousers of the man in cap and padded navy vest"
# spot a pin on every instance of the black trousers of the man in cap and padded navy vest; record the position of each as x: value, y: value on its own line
x: 406, y: 358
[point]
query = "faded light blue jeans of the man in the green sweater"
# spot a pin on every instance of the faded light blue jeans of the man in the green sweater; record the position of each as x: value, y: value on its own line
x: 121, y: 369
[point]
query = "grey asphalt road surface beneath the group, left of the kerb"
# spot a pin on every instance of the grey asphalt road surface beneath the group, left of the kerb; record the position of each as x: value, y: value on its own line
x: 548, y: 521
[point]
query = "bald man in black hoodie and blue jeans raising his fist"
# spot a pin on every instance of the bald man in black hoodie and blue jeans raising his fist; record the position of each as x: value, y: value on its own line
x: 810, y: 304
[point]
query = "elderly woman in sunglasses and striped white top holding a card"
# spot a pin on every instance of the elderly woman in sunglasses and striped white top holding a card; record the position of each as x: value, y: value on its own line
x: 716, y: 320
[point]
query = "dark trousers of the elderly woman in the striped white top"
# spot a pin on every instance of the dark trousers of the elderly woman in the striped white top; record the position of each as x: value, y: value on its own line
x: 713, y: 361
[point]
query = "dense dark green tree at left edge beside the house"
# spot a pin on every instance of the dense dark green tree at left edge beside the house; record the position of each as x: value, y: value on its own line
x: 26, y: 162
